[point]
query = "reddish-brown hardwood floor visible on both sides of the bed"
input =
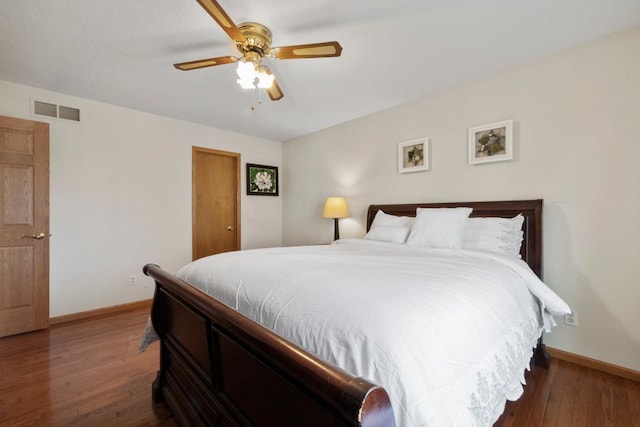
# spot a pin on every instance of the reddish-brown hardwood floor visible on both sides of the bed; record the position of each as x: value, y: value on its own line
x: 89, y: 373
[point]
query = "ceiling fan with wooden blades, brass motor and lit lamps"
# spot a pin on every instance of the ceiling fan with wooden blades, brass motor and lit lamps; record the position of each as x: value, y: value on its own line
x: 253, y: 40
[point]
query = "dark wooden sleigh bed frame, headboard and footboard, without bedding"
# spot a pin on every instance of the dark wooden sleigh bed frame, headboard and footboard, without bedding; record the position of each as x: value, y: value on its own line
x: 220, y: 368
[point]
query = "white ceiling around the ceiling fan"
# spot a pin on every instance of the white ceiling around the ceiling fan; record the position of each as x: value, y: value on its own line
x: 121, y: 52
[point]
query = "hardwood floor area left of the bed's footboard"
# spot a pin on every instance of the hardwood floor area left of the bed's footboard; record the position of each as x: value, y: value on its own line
x: 85, y: 373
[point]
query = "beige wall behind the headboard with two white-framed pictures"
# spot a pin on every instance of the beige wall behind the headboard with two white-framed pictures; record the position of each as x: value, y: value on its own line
x: 576, y: 118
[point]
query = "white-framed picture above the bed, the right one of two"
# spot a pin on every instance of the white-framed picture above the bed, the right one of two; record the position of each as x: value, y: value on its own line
x: 491, y: 143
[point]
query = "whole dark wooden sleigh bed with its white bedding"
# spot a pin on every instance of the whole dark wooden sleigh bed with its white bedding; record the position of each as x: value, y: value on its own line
x: 293, y: 360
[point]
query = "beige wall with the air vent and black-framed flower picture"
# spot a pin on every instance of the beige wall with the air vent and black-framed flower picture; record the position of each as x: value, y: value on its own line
x: 121, y: 196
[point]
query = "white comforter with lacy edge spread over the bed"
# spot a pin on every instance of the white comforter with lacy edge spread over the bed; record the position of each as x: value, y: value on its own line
x: 447, y: 333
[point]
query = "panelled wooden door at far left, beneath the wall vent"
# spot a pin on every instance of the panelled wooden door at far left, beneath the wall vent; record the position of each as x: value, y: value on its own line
x: 24, y: 226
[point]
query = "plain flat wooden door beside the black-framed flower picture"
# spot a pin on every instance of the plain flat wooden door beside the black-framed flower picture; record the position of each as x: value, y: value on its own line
x: 216, y: 202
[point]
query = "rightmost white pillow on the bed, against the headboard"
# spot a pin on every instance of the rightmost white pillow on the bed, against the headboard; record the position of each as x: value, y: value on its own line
x: 503, y: 235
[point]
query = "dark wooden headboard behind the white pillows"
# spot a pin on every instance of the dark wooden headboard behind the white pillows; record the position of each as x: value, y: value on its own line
x: 531, y: 250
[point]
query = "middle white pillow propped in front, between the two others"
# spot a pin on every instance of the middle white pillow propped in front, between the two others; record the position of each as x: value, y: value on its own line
x: 439, y: 227
